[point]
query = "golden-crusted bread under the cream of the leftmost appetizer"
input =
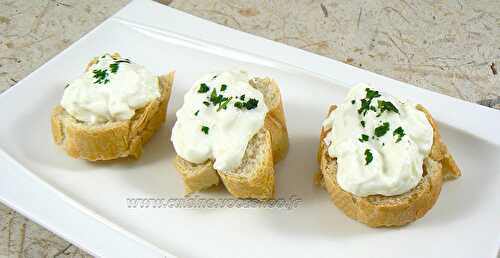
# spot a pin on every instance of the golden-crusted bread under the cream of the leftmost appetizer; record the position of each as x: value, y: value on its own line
x: 111, y: 140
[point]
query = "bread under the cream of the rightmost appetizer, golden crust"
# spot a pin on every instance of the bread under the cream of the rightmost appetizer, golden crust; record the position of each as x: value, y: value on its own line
x: 384, y: 211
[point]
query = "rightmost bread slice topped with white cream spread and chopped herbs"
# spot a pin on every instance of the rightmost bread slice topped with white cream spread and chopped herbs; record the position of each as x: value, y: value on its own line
x: 382, y: 159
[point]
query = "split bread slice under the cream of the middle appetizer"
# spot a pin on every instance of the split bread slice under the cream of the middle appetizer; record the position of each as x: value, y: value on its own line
x: 254, y: 177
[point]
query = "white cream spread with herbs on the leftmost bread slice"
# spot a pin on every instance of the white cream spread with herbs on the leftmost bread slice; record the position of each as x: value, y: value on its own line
x: 110, y: 90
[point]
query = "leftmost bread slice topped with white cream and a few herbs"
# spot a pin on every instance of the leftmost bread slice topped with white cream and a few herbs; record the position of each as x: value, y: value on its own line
x: 111, y: 110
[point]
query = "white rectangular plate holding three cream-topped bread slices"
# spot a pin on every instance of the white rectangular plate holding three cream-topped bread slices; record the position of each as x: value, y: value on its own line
x: 86, y: 202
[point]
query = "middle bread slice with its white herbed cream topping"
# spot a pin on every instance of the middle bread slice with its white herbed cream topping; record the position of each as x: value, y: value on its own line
x: 232, y: 129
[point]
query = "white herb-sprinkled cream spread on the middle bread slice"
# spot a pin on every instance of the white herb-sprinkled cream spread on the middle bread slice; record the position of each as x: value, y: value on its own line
x: 221, y: 113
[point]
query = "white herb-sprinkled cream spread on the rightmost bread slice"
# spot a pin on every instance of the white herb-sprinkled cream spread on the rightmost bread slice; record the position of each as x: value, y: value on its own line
x: 379, y: 141
